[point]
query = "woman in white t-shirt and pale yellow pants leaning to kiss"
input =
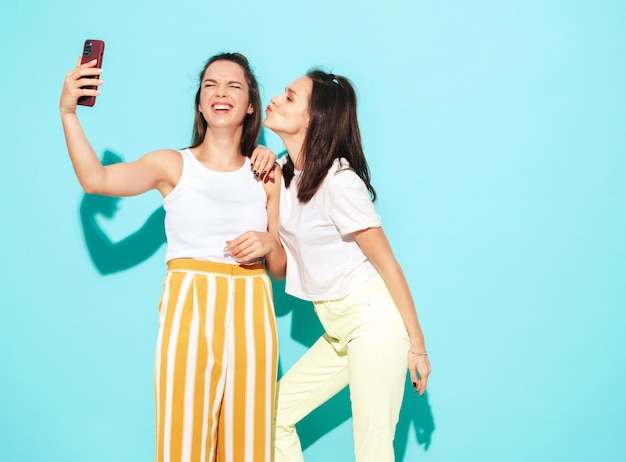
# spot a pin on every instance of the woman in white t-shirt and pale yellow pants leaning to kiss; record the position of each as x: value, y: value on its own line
x: 339, y: 258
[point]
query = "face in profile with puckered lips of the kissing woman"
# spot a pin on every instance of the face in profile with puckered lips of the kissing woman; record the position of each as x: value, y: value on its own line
x: 288, y: 113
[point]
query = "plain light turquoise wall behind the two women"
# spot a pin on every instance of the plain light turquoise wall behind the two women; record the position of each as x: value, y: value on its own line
x: 496, y: 135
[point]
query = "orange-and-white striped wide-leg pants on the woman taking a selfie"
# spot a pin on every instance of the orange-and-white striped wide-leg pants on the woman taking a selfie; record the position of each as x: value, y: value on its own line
x: 216, y: 363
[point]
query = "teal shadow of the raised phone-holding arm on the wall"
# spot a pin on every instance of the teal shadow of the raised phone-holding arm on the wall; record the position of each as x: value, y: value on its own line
x: 108, y: 256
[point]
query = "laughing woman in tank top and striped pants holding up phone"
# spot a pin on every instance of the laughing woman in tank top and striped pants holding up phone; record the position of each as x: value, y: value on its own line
x: 217, y: 350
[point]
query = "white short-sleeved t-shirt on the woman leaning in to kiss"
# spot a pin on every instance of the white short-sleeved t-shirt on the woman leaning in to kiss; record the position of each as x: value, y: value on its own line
x: 323, y: 260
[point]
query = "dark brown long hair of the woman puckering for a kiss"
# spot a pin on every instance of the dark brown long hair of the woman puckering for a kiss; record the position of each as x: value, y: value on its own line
x: 333, y: 133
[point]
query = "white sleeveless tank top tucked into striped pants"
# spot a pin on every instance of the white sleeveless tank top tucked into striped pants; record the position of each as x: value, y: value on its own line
x: 207, y: 208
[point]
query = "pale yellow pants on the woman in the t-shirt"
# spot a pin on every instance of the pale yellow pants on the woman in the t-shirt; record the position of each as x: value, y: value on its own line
x: 365, y: 346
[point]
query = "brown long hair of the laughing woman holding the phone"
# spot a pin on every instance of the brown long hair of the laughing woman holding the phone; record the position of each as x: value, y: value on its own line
x: 252, y: 122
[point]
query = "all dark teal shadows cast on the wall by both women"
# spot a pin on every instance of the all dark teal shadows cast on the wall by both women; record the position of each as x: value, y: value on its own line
x: 110, y: 257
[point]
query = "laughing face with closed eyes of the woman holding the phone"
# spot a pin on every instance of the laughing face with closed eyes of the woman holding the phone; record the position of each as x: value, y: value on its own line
x: 224, y: 100
